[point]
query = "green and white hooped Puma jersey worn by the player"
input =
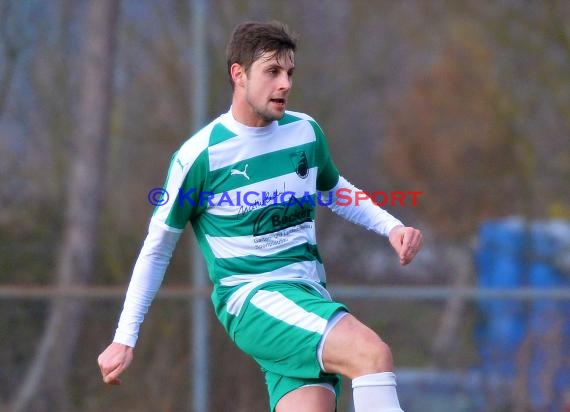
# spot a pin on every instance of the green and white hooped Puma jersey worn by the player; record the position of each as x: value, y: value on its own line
x: 250, y: 195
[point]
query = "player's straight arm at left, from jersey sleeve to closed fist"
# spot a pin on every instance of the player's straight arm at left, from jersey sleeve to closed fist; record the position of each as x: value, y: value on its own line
x: 165, y: 228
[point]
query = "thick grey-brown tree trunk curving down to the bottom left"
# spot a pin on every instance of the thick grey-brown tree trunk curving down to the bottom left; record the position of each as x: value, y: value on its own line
x: 44, y: 385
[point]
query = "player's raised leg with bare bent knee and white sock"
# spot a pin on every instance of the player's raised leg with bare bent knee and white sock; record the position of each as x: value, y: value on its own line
x: 352, y: 349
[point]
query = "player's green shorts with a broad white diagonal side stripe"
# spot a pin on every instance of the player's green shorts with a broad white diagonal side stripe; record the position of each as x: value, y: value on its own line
x: 281, y: 326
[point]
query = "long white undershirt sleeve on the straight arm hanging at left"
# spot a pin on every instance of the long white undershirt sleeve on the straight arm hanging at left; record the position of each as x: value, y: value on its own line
x: 146, y: 279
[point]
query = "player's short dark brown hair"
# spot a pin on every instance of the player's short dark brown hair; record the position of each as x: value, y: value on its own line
x: 251, y: 39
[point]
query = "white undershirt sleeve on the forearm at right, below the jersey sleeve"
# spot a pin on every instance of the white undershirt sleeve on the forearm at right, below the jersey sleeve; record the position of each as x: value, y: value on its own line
x: 365, y: 213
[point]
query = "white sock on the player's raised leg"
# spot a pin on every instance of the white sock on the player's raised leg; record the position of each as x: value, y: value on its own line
x: 375, y: 392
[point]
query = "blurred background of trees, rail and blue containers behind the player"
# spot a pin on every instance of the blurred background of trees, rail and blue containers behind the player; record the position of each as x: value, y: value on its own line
x: 467, y: 102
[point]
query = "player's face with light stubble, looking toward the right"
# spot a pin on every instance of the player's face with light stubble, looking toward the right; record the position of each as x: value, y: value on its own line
x: 267, y: 88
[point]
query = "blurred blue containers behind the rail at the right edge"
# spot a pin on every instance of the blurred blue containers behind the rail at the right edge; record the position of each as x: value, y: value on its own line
x: 514, y: 254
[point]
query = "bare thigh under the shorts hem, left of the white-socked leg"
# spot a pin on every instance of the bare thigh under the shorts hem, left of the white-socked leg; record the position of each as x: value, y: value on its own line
x: 312, y: 398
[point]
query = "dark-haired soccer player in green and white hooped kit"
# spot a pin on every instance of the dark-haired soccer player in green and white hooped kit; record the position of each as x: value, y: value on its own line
x: 249, y: 182
